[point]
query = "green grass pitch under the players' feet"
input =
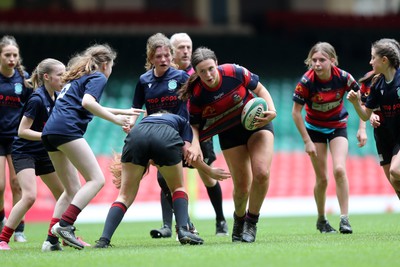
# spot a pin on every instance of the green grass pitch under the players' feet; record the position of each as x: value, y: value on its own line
x: 283, y: 241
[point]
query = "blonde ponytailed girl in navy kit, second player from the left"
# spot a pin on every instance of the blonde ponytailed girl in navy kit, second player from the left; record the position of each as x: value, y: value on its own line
x: 29, y: 157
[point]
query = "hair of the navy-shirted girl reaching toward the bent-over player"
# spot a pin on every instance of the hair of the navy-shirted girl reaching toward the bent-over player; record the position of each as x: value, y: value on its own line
x: 88, y: 61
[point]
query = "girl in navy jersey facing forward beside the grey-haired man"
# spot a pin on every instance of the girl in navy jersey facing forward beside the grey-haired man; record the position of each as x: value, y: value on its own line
x: 157, y: 90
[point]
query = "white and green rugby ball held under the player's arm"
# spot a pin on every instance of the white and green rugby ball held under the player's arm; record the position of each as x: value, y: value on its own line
x: 254, y: 108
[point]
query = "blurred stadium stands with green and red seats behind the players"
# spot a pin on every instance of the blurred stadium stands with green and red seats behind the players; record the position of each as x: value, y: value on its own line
x: 271, y: 39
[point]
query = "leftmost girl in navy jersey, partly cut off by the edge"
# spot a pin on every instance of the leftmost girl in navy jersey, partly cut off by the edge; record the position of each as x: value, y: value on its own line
x: 14, y: 92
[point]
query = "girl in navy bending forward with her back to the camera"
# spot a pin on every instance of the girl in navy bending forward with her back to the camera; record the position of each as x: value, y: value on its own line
x: 162, y: 138
